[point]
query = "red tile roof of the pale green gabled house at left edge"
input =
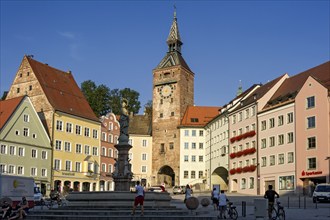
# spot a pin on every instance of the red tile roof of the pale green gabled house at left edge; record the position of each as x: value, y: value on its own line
x: 7, y: 108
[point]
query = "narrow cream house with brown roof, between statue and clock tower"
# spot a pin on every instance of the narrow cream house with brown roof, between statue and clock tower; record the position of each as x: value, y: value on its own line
x: 140, y: 137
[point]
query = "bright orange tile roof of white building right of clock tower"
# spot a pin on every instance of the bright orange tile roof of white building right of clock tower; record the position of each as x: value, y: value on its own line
x: 199, y: 116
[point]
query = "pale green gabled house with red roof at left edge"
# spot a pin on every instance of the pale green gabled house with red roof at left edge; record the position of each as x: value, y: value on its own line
x: 25, y: 146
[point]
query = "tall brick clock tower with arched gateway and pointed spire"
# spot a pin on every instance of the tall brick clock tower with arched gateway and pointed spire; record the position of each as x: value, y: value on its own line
x: 173, y: 91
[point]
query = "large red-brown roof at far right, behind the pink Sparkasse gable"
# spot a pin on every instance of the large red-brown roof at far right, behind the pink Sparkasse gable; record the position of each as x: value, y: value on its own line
x: 291, y: 86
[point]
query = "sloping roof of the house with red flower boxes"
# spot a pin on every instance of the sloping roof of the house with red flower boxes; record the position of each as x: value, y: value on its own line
x: 259, y: 93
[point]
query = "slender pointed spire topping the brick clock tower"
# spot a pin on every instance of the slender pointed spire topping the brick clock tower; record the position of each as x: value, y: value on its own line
x: 174, y: 40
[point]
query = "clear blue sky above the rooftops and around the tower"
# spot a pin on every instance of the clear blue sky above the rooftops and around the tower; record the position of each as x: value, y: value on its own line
x: 119, y: 43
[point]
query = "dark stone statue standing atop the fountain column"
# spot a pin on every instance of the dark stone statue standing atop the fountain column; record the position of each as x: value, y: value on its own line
x: 124, y: 122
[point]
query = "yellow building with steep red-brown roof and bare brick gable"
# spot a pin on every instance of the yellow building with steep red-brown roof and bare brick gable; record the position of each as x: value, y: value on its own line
x: 71, y: 124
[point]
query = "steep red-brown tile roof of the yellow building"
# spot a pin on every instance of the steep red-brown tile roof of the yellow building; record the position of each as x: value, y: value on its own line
x: 62, y: 90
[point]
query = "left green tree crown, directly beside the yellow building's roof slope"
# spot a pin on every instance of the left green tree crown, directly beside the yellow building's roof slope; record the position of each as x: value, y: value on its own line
x: 98, y: 97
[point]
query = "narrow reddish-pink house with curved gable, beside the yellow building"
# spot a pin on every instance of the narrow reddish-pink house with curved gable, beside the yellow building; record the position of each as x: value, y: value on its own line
x: 110, y: 130
